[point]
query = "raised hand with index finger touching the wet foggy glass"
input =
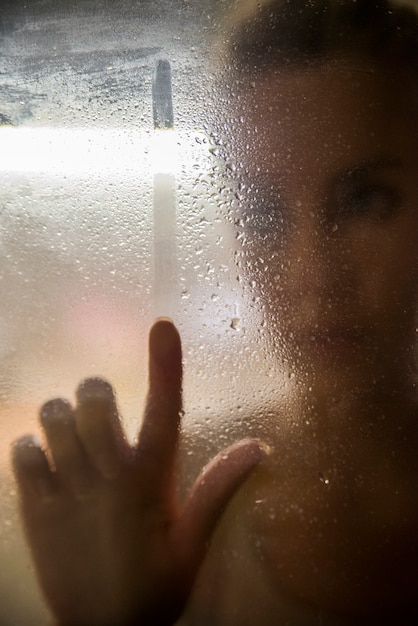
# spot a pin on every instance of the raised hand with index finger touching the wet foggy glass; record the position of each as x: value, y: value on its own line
x: 111, y: 544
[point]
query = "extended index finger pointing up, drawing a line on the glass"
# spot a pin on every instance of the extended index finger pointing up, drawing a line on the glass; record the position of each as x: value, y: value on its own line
x: 159, y: 433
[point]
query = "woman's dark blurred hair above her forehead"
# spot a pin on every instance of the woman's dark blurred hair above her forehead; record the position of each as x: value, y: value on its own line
x: 268, y: 36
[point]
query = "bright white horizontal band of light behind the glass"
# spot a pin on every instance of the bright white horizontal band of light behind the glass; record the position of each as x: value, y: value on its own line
x: 87, y: 152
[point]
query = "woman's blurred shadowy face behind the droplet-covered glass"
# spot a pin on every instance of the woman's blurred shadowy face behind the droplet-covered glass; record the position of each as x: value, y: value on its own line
x: 329, y: 201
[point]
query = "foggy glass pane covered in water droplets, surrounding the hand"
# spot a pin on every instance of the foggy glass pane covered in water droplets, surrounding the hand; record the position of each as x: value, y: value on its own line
x: 247, y: 169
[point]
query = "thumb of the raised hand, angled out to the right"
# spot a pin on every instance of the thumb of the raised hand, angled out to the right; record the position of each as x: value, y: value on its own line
x: 211, y: 494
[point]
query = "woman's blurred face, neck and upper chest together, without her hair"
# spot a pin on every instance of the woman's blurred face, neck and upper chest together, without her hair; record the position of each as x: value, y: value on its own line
x: 330, y: 217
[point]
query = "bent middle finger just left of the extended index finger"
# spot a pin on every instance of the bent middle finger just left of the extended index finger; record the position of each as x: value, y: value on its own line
x: 99, y: 428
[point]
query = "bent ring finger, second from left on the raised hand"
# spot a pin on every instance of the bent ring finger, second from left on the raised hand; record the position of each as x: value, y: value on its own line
x: 70, y: 460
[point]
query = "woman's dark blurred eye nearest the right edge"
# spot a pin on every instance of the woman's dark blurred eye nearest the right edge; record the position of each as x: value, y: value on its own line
x: 378, y: 202
